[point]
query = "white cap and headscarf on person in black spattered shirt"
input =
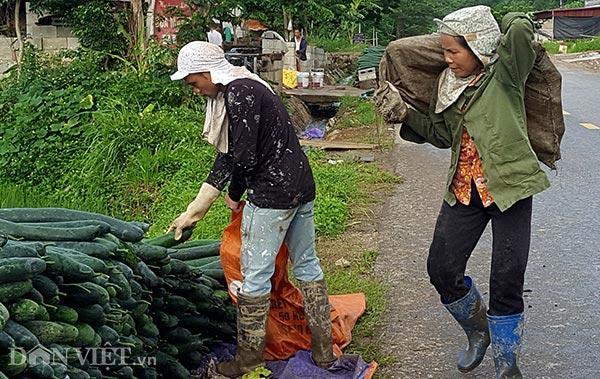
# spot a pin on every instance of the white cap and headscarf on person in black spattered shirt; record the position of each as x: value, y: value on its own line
x: 200, y: 56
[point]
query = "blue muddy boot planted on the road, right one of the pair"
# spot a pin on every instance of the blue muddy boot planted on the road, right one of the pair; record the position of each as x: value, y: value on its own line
x: 507, y: 332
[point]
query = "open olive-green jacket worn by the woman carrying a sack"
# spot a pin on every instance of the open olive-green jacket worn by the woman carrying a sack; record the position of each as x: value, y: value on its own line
x: 494, y: 115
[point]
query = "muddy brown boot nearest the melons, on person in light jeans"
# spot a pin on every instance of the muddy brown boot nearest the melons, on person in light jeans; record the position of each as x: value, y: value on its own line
x: 252, y: 313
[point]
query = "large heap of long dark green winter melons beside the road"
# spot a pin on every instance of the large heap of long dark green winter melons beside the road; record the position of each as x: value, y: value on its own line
x: 84, y: 295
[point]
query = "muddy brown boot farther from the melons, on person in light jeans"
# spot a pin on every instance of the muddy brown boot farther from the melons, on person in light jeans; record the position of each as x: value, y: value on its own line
x: 318, y: 316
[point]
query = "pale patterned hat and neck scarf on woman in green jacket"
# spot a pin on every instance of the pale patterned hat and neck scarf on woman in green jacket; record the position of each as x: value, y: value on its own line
x: 482, y: 33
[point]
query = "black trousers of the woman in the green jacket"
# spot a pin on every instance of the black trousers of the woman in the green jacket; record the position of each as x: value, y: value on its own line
x: 456, y: 234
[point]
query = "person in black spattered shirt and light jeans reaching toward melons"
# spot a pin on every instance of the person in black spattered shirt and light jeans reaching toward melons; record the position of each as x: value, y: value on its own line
x: 260, y: 155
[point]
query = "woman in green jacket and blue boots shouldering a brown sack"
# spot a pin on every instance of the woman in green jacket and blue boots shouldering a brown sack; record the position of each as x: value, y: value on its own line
x: 478, y: 111
